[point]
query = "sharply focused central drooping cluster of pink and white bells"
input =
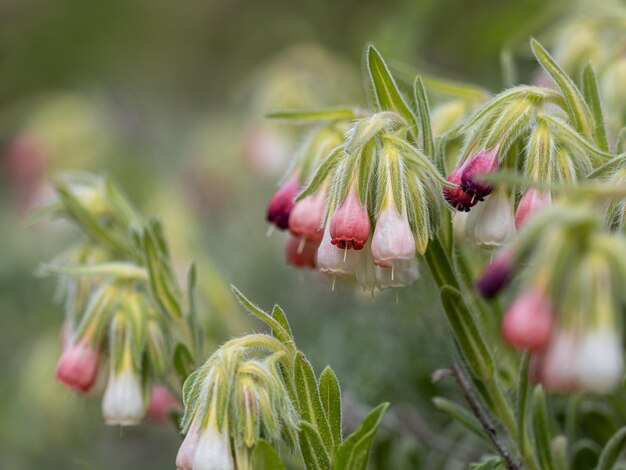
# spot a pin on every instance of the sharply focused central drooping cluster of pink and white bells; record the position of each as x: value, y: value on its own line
x: 368, y: 206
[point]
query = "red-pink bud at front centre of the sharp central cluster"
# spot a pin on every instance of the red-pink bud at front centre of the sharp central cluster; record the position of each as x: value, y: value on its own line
x: 350, y: 224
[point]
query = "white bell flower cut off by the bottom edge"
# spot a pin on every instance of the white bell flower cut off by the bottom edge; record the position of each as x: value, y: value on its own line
x: 213, y: 450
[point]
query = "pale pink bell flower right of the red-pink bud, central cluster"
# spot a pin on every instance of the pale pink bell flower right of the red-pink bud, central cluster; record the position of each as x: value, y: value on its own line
x: 393, y: 239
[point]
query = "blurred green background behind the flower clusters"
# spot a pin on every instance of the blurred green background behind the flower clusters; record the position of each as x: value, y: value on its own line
x: 168, y: 97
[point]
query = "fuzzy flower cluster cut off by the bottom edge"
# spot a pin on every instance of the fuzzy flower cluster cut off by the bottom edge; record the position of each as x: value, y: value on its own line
x: 231, y: 402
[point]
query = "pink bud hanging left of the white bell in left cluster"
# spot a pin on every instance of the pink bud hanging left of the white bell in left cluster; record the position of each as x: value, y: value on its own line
x: 78, y: 366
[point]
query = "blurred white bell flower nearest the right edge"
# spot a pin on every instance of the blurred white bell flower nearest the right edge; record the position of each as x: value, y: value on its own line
x: 600, y: 364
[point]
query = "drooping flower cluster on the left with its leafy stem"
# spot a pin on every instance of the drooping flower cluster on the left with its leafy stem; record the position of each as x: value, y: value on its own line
x: 121, y: 322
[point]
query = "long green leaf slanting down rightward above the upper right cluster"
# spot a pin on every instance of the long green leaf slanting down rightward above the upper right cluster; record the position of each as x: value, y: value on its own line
x: 578, y: 110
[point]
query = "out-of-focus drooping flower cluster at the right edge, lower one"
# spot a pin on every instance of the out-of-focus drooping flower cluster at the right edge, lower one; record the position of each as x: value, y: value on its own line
x: 567, y: 309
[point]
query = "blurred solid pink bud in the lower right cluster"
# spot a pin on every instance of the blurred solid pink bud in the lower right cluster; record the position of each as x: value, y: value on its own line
x: 527, y: 323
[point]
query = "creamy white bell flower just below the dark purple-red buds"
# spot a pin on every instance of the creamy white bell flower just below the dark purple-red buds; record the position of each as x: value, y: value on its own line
x: 492, y: 224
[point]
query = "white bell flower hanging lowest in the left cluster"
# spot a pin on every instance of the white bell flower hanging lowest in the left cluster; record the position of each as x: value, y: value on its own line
x: 123, y: 399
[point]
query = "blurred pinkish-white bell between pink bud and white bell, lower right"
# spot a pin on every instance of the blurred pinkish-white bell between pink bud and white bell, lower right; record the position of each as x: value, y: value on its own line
x: 558, y: 366
